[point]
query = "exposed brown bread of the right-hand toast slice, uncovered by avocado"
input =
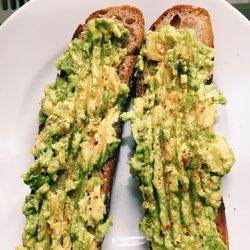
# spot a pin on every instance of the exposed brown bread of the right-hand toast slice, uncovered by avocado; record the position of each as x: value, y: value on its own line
x: 198, y: 19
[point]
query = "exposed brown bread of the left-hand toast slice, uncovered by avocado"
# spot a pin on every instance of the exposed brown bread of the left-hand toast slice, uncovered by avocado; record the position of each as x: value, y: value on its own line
x: 133, y: 20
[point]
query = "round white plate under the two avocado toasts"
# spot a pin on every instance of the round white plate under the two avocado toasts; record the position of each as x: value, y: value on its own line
x: 30, y: 42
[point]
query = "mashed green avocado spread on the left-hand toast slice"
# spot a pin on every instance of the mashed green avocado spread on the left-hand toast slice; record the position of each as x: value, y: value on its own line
x: 67, y: 208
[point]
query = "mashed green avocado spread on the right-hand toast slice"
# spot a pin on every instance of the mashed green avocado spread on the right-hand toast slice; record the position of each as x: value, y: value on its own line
x: 179, y: 160
